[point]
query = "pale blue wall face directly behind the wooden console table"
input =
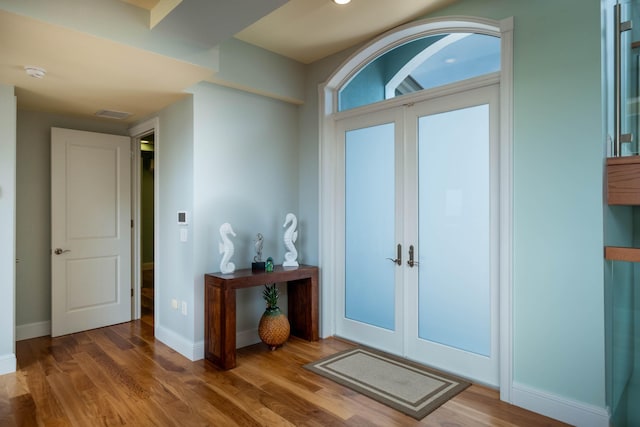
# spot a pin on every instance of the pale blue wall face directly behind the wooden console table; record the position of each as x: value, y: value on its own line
x: 245, y: 173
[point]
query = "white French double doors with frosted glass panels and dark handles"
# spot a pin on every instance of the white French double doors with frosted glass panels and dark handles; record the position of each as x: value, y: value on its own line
x: 420, y: 190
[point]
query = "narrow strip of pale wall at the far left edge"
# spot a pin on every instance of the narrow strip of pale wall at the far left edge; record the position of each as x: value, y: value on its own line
x: 7, y: 227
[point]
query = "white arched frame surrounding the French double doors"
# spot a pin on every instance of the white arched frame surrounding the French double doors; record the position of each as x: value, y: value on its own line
x: 328, y: 238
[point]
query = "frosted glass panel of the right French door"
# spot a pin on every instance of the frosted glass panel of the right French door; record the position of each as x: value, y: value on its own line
x: 454, y: 229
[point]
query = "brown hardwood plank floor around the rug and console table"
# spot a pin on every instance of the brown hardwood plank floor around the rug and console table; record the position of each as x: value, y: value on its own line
x: 121, y: 376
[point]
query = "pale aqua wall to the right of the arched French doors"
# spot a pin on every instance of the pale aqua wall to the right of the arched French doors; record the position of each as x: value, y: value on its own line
x: 558, y: 306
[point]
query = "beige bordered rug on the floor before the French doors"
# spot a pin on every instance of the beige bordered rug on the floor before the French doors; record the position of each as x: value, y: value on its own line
x: 401, y: 384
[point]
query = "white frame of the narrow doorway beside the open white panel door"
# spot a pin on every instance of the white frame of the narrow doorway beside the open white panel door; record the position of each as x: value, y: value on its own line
x: 136, y: 132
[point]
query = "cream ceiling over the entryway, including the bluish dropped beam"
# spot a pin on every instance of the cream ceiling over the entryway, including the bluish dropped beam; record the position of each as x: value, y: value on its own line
x: 142, y: 64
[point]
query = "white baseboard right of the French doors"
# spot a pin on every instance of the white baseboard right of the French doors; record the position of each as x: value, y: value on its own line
x: 559, y: 408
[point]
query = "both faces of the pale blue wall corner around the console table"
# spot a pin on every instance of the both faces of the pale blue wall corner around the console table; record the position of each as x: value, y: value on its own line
x: 223, y: 155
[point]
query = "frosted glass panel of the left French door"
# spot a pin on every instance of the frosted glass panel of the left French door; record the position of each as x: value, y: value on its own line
x: 369, y: 225
